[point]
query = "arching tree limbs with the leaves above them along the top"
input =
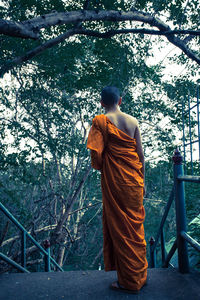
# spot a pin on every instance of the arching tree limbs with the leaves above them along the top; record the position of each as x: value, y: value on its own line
x: 26, y: 27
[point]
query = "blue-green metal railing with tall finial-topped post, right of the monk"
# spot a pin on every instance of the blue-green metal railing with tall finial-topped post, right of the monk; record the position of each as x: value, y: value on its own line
x: 182, y: 238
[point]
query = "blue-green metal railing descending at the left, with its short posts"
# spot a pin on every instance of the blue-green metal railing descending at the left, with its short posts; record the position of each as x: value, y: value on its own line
x: 48, y: 260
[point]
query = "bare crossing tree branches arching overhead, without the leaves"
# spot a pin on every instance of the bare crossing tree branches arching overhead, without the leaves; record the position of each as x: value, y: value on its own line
x: 52, y: 19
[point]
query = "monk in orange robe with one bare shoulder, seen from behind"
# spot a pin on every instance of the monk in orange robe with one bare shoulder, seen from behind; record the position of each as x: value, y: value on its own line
x: 116, y: 150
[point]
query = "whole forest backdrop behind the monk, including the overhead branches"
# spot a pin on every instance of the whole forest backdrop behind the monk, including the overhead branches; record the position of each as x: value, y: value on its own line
x: 55, y: 58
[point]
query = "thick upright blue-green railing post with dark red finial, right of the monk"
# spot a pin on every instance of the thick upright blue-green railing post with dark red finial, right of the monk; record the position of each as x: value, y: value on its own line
x: 183, y: 261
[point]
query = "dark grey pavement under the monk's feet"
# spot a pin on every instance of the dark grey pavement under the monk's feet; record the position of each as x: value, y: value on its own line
x: 163, y: 284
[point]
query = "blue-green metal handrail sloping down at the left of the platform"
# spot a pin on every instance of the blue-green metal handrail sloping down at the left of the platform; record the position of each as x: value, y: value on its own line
x: 24, y: 234
